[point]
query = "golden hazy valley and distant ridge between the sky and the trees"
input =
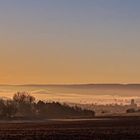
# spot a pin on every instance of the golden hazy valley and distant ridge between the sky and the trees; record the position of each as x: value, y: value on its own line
x: 84, y: 93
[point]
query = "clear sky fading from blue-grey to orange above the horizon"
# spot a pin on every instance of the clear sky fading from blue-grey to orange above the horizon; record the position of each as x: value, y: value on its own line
x: 69, y: 41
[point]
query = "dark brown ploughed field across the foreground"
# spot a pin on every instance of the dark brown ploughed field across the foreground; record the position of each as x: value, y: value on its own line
x: 117, y: 128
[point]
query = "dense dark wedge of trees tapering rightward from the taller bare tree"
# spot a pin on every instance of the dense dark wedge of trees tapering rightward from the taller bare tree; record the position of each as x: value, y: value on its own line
x: 57, y: 110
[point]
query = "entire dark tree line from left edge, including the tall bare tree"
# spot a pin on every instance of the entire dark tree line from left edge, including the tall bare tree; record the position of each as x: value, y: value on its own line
x: 24, y: 105
